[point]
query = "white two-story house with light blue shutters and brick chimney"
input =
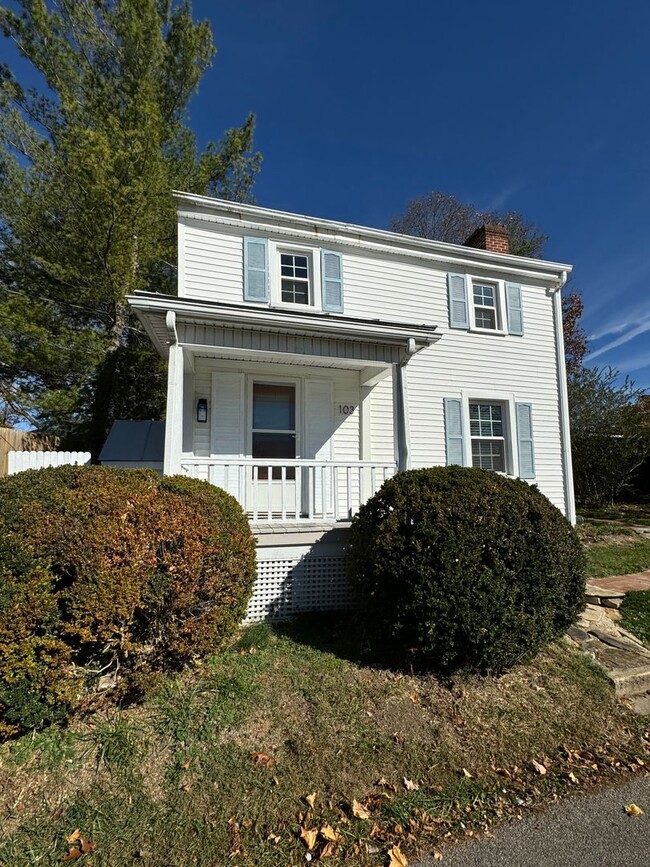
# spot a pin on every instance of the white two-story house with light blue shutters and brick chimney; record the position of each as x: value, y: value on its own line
x: 309, y: 360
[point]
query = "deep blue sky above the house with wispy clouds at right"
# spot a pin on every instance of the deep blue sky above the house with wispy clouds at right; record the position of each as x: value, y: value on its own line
x: 535, y: 107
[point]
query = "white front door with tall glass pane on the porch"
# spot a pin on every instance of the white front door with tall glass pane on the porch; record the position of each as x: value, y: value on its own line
x: 274, y: 437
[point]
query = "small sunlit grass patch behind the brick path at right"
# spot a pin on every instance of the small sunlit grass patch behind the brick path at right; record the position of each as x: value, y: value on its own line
x: 613, y: 549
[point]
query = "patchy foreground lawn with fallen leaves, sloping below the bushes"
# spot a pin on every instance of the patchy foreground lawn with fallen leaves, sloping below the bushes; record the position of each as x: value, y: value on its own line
x: 285, y: 746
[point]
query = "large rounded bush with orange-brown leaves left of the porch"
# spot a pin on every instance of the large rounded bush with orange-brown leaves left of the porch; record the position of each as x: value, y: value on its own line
x: 116, y: 572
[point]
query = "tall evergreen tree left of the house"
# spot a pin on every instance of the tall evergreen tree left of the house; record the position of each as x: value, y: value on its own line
x: 88, y: 161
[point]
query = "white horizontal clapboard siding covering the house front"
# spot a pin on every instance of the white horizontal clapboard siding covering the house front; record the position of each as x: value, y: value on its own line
x: 461, y: 364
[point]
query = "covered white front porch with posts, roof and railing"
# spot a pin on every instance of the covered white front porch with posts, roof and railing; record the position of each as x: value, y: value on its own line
x: 301, y: 417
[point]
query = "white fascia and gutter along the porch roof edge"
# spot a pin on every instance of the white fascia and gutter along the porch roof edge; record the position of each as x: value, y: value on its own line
x: 266, y: 318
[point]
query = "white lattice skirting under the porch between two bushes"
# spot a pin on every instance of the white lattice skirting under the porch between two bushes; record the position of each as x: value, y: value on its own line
x: 290, y: 583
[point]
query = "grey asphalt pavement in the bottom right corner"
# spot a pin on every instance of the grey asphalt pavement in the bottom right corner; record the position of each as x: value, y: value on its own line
x: 585, y: 831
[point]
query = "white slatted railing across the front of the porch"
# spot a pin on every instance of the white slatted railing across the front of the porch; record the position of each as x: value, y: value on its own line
x: 280, y: 490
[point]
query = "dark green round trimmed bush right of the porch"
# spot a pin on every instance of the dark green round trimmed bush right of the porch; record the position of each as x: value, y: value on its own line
x: 463, y: 569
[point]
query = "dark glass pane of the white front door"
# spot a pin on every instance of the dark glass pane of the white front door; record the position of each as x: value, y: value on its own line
x: 274, y: 426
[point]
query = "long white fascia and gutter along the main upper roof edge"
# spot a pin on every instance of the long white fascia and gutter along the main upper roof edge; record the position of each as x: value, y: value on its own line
x: 282, y: 223
